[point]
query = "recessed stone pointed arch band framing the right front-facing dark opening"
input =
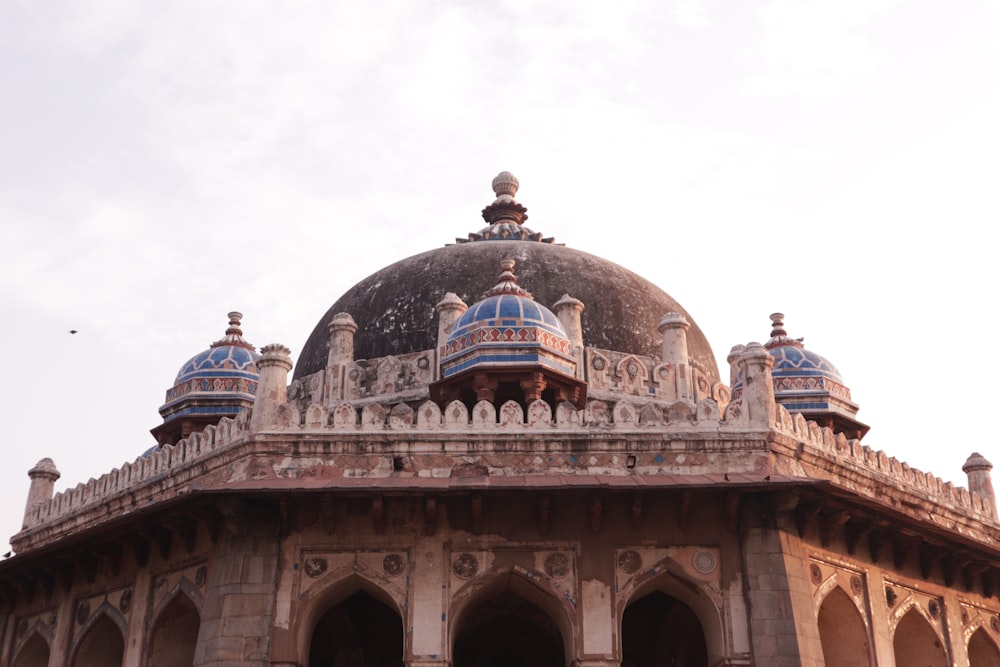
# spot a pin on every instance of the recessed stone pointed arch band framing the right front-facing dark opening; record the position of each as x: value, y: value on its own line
x: 668, y: 578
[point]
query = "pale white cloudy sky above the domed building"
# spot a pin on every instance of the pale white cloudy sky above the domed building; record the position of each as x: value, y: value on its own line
x: 164, y: 163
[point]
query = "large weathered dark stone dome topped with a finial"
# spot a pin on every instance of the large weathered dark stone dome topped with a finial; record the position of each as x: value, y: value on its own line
x: 395, y: 308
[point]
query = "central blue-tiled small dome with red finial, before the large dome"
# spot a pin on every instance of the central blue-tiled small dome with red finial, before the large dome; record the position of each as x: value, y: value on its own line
x: 507, y: 328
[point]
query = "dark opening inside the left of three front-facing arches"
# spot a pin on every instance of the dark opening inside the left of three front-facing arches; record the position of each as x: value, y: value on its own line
x: 358, y: 632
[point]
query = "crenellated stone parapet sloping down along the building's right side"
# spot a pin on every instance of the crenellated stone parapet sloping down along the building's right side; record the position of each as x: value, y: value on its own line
x: 822, y: 443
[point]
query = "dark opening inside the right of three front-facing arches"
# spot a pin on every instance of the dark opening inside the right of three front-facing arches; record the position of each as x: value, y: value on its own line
x: 658, y: 629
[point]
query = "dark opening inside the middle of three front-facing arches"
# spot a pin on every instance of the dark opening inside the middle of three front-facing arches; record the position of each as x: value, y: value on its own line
x: 506, y: 630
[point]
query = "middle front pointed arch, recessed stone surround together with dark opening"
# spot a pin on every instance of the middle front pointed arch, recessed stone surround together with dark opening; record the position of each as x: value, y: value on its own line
x: 510, y: 605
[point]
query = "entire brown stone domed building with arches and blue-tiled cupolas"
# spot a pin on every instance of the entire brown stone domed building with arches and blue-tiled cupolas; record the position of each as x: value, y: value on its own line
x: 540, y: 469
